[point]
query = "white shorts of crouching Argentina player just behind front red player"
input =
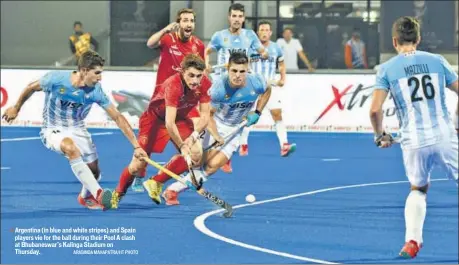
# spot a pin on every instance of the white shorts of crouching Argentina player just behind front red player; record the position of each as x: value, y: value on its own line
x: 230, y: 146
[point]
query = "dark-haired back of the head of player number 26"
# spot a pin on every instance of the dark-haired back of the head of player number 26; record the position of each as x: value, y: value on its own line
x: 406, y: 30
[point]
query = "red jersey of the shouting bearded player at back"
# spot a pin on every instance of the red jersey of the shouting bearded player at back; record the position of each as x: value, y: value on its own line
x: 173, y: 50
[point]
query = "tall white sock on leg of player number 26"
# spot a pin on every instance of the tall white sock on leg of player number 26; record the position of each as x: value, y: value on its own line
x: 415, y: 214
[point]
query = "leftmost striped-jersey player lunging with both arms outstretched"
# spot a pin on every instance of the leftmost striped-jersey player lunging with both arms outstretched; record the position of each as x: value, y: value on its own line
x: 69, y: 98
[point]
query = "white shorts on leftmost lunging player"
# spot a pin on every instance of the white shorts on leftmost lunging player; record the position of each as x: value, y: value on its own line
x: 52, y: 138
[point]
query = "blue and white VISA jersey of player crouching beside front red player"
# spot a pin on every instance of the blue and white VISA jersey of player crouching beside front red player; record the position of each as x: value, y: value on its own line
x: 233, y: 104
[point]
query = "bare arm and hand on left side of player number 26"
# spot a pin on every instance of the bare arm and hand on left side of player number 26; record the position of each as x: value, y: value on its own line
x: 376, y: 117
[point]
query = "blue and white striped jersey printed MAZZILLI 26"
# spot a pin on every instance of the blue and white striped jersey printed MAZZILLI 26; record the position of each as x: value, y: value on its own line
x: 417, y: 82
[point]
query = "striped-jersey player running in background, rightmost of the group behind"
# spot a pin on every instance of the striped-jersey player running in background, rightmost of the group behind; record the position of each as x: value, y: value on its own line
x: 267, y: 68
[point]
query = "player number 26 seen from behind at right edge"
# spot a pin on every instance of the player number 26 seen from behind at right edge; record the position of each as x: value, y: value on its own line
x: 417, y: 82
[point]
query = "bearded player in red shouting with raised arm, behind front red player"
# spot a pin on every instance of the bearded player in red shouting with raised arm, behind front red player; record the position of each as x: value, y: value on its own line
x: 174, y: 46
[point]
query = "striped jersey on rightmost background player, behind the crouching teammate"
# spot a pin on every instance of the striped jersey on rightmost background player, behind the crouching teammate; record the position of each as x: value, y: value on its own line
x: 267, y: 67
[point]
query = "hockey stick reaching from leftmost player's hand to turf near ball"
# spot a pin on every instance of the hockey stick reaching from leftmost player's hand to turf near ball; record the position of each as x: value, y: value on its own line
x: 206, y: 194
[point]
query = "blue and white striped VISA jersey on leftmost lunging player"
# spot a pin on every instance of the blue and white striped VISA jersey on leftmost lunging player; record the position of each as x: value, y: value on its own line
x: 65, y: 105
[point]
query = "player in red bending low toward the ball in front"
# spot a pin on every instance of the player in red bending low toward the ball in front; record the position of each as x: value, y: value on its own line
x: 169, y: 117
